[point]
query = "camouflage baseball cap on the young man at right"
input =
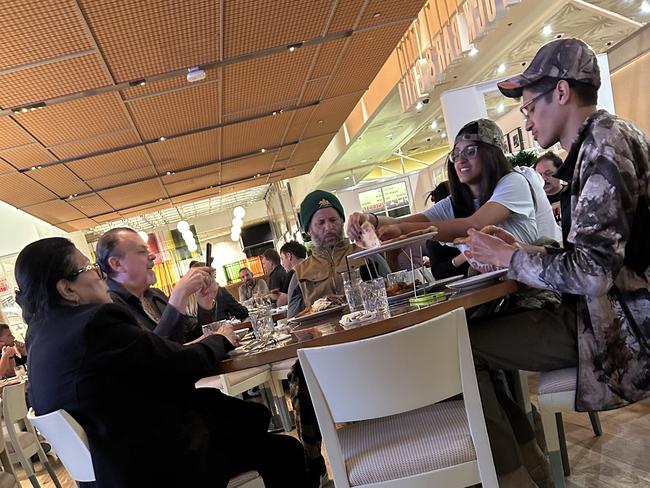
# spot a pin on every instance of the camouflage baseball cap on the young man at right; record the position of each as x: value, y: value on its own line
x: 568, y: 59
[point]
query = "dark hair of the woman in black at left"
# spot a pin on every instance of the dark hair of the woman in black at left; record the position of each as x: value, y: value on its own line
x: 39, y: 267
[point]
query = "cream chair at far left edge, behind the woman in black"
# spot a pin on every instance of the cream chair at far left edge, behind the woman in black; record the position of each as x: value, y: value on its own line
x: 23, y: 441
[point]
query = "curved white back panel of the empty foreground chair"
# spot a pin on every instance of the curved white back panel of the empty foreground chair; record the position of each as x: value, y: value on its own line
x: 392, y: 373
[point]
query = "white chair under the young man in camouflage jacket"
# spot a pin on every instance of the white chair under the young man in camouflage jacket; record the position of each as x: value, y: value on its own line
x: 556, y: 393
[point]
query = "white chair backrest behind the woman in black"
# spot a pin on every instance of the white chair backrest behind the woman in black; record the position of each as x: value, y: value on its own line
x: 69, y: 440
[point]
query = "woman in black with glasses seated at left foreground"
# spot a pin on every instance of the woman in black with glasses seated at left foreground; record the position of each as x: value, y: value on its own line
x: 133, y: 391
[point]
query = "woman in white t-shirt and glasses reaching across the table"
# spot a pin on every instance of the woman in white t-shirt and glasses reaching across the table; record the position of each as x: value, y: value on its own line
x: 484, y: 191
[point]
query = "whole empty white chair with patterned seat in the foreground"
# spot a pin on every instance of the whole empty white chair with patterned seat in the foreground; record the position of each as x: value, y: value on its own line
x: 391, y: 387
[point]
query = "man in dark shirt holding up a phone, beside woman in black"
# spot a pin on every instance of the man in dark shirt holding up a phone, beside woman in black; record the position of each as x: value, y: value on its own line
x: 125, y: 258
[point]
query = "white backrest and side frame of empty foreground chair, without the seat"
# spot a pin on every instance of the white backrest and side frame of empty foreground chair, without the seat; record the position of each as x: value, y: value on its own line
x: 395, y: 373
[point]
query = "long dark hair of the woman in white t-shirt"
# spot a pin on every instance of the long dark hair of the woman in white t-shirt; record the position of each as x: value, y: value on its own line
x: 494, y: 166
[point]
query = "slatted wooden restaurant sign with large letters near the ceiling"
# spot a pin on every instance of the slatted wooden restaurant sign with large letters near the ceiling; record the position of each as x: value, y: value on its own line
x: 456, y: 33
